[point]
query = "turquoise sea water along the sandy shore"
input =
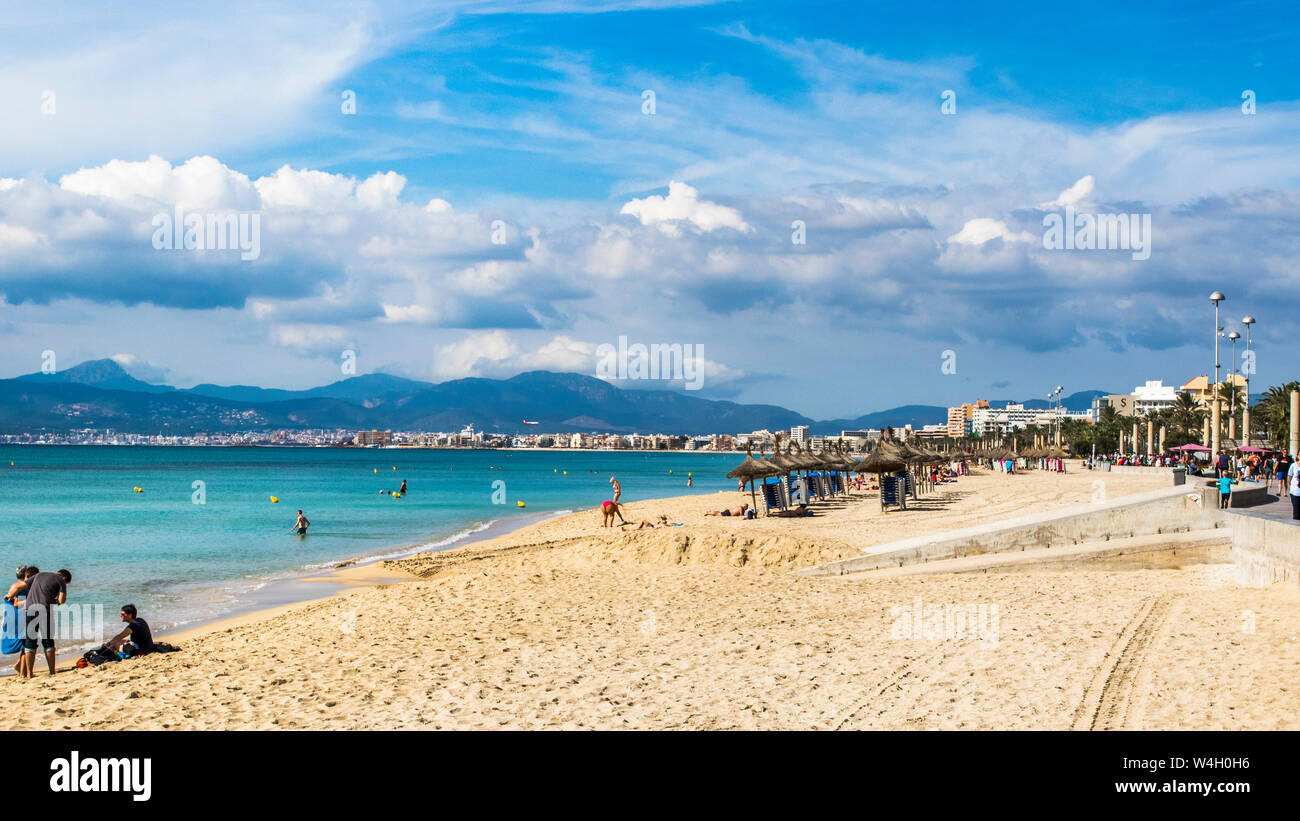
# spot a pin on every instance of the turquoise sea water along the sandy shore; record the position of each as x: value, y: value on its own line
x: 184, y: 557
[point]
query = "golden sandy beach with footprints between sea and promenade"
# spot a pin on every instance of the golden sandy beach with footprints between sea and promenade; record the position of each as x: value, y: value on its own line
x: 567, y: 625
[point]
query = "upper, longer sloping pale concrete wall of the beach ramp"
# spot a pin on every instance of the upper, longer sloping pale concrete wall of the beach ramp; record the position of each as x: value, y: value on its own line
x: 1169, y: 510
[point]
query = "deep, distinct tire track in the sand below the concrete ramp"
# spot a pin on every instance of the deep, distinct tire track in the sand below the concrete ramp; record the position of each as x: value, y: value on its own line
x: 1110, y: 701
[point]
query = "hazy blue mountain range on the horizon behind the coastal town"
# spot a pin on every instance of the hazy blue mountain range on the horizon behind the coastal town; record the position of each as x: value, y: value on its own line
x: 102, y: 394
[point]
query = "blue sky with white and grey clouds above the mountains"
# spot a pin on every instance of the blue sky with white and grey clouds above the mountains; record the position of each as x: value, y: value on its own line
x: 842, y: 207
